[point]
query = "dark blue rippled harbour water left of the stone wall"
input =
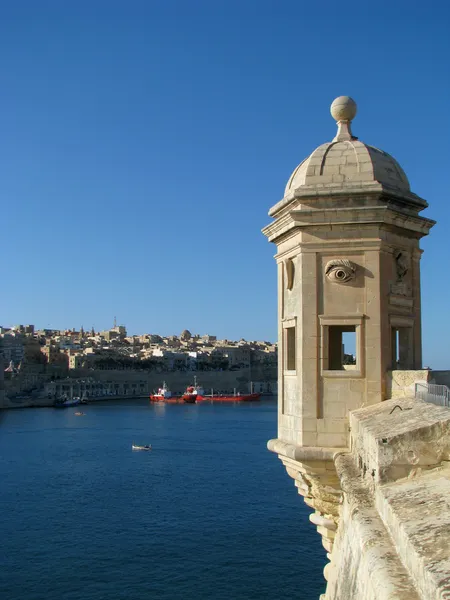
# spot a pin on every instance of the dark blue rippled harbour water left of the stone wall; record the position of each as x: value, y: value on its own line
x: 208, y: 513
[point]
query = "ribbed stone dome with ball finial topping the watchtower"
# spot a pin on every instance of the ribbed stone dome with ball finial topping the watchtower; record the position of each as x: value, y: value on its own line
x: 345, y: 162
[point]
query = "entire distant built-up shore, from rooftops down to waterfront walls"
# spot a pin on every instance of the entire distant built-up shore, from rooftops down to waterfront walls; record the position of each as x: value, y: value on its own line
x: 42, y: 366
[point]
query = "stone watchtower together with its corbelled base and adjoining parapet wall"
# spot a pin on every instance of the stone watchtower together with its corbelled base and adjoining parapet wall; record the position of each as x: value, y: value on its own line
x: 375, y: 471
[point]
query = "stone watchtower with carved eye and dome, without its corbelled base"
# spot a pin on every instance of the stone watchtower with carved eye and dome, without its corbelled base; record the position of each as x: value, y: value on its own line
x: 347, y: 233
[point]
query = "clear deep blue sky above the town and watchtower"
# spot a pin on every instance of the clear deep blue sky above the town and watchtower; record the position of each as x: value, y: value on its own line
x: 142, y: 144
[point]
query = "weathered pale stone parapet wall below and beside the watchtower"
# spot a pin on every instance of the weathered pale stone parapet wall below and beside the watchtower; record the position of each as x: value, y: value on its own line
x: 392, y: 536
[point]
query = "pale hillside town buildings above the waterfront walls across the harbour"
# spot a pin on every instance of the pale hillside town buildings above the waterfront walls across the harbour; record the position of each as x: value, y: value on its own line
x: 62, y: 351
